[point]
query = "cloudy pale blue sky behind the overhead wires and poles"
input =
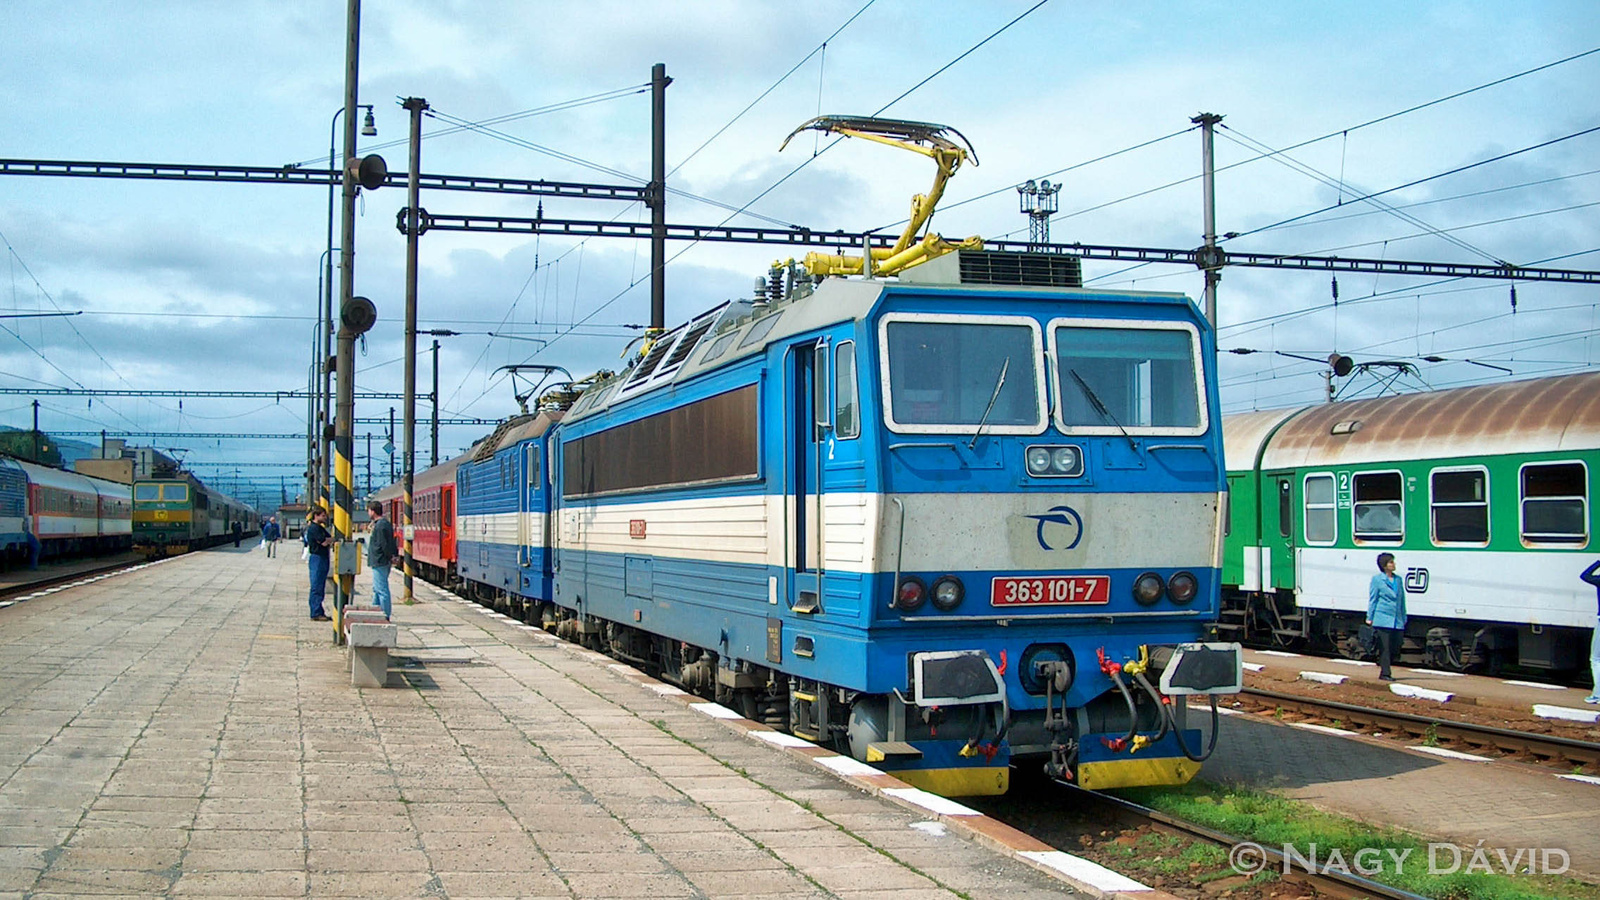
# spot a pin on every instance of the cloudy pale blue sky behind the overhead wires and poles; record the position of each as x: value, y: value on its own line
x: 202, y: 286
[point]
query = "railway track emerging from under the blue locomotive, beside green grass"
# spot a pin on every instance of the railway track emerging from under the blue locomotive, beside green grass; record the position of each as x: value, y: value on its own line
x: 1326, y: 885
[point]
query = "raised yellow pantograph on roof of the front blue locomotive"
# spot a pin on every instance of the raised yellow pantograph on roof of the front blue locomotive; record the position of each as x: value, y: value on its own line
x: 934, y: 142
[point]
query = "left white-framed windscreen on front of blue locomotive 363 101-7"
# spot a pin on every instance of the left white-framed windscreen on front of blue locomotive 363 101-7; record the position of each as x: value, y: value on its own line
x: 954, y: 374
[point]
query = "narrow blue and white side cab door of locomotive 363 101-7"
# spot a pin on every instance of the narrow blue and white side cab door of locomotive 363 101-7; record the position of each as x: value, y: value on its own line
x: 807, y: 443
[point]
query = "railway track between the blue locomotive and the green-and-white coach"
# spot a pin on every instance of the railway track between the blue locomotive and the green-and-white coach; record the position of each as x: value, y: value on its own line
x: 1550, y: 750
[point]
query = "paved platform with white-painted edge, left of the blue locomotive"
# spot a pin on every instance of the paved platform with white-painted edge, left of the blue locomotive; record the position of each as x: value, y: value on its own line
x: 185, y: 731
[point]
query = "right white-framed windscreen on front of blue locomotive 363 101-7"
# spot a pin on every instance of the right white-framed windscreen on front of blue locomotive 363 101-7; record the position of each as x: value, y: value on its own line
x: 1121, y: 376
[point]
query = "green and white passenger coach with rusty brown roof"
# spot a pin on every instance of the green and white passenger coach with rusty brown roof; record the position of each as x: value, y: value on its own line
x: 1486, y: 496
